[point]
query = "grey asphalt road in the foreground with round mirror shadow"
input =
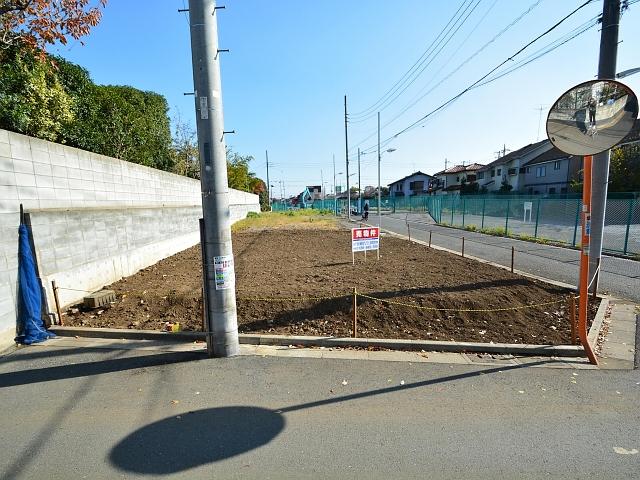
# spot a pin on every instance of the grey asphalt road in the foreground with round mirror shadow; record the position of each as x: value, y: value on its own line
x: 104, y: 414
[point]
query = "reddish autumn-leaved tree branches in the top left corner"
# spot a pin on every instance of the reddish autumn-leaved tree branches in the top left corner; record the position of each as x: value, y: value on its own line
x: 35, y: 24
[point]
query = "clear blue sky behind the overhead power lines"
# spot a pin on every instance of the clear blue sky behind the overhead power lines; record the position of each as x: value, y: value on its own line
x: 292, y: 62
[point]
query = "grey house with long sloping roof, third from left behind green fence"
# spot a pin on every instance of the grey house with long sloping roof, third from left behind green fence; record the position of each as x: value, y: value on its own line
x: 508, y: 170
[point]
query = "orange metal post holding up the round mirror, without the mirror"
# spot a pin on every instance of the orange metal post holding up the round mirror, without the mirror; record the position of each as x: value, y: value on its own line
x: 584, y: 260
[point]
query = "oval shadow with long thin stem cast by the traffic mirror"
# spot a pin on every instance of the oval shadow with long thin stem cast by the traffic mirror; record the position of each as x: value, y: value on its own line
x: 193, y: 439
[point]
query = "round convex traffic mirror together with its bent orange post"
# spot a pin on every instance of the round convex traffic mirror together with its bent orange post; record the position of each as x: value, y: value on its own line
x: 588, y: 119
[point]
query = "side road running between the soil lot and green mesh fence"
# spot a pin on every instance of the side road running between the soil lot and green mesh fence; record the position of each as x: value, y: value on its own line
x: 620, y: 277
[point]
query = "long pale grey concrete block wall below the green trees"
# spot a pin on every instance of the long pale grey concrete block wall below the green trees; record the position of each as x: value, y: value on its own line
x: 94, y: 218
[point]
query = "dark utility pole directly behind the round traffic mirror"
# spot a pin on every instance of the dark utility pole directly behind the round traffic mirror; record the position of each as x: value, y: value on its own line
x: 600, y: 168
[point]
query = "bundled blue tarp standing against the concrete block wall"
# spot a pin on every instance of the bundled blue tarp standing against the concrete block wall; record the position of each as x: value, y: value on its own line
x: 30, y: 326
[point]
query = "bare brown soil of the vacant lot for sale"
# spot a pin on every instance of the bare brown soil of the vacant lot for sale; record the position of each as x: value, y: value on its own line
x: 284, y: 275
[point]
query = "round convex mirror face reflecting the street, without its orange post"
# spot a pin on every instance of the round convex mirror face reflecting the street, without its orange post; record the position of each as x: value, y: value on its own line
x: 592, y: 117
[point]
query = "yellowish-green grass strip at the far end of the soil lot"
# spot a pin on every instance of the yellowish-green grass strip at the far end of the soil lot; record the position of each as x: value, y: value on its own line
x: 303, y: 218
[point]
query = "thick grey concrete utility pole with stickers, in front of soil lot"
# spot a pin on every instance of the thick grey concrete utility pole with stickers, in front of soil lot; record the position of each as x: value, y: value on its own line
x: 218, y: 271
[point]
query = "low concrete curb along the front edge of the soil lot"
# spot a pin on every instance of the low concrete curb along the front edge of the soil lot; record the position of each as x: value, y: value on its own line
x: 309, y: 341
